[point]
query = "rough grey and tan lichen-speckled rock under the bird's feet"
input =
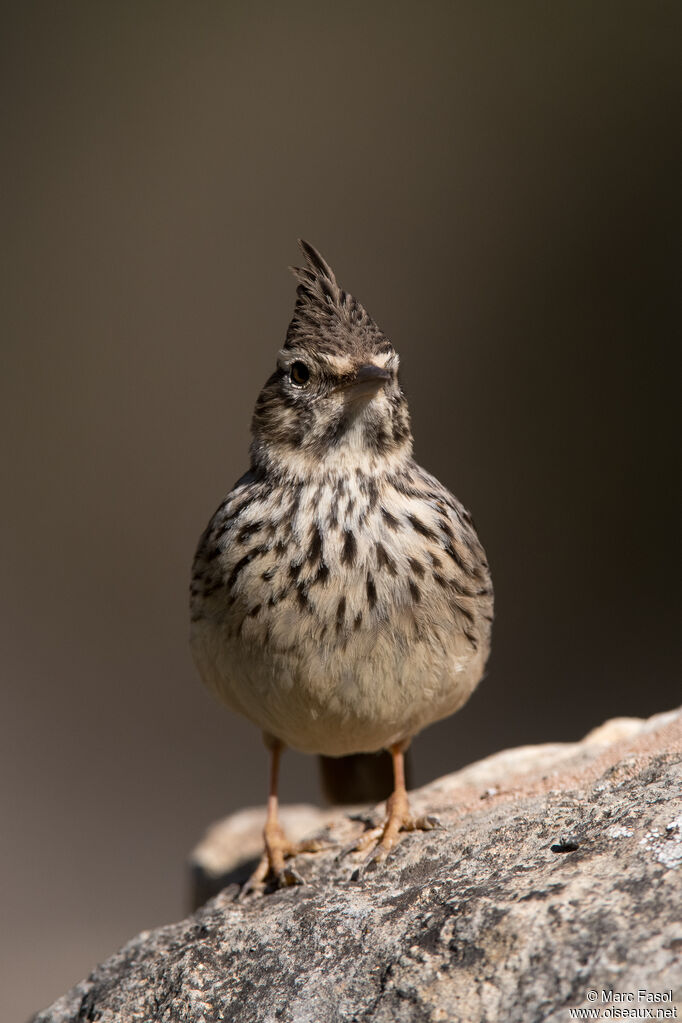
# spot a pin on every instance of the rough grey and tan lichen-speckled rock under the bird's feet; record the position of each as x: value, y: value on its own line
x: 556, y: 874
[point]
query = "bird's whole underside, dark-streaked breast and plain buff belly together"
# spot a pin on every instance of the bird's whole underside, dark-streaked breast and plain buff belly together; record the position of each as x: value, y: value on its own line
x: 350, y: 622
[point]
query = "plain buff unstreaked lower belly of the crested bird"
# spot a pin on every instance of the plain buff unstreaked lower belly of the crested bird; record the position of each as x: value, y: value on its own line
x: 362, y: 695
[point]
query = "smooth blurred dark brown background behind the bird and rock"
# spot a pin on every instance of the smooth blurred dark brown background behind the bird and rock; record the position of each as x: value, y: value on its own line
x: 498, y: 184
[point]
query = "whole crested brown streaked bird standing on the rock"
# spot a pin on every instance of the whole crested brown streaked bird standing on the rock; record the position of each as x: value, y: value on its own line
x: 340, y: 598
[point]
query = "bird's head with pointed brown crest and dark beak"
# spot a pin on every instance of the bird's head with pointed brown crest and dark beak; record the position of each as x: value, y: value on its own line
x: 335, y: 402
